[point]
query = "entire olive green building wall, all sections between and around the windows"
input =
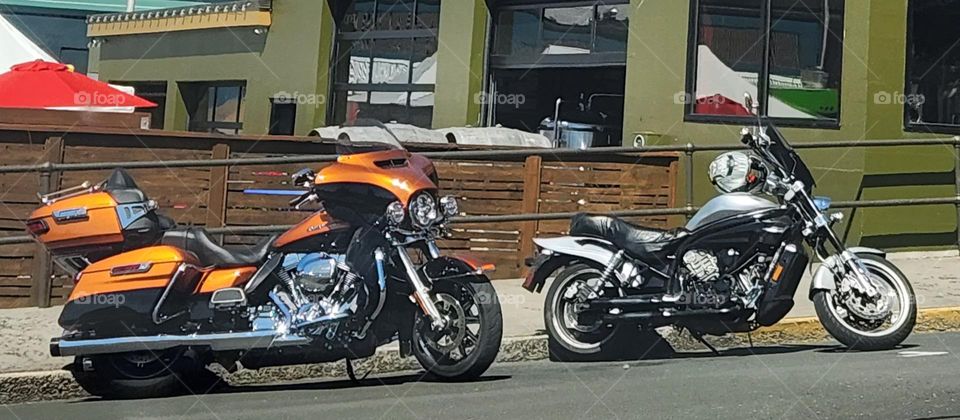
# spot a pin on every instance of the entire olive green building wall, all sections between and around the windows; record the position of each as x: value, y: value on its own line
x: 295, y: 58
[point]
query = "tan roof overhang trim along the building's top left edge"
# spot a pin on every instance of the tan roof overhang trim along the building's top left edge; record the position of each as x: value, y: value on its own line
x: 242, y: 13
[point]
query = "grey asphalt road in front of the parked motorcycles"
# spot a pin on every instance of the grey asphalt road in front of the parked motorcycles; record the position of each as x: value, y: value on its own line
x: 921, y: 380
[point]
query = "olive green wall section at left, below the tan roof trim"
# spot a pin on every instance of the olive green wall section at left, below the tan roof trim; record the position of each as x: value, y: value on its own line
x: 293, y: 57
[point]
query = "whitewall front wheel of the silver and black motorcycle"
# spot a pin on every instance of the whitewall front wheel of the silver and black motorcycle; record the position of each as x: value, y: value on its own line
x: 850, y: 318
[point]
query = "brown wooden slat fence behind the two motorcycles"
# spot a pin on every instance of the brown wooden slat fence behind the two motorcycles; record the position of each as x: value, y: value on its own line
x: 215, y: 196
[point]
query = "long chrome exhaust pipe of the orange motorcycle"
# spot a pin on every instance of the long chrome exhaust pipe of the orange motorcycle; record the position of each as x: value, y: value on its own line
x: 217, y: 342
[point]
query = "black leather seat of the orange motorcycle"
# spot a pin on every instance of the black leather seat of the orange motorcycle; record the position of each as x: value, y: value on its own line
x: 210, y: 253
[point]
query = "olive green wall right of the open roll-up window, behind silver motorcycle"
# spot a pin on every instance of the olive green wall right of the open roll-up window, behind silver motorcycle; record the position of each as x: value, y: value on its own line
x: 873, y: 62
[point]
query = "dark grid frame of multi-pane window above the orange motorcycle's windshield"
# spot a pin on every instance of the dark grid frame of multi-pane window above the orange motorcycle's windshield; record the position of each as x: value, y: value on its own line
x: 337, y: 88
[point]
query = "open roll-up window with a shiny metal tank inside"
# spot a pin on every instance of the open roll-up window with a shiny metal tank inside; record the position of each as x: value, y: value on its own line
x: 561, y: 61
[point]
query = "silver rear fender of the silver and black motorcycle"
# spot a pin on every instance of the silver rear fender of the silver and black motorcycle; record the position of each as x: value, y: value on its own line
x: 568, y: 248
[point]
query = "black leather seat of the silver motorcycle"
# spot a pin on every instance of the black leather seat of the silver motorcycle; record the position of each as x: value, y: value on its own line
x: 638, y: 241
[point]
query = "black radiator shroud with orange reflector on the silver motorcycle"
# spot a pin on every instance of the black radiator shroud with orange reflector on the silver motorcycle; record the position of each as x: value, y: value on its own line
x: 782, y: 285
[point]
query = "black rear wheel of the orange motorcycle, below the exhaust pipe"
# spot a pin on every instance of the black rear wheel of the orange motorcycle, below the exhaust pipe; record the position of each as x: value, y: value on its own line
x: 144, y: 374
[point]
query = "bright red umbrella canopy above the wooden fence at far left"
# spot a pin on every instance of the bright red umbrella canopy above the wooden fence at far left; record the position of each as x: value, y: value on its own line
x: 41, y: 84
